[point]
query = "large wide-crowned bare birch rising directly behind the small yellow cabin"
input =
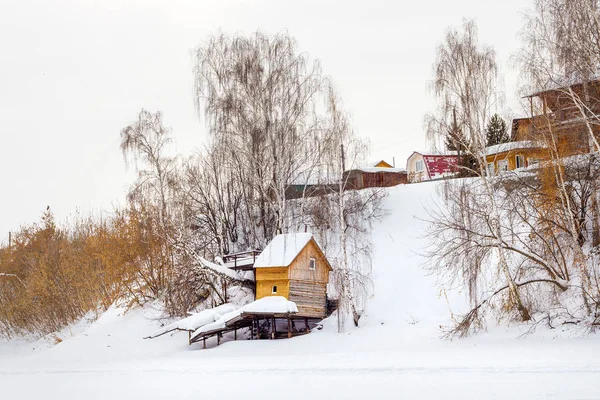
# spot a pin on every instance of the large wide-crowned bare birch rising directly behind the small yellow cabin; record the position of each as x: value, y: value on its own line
x: 263, y: 101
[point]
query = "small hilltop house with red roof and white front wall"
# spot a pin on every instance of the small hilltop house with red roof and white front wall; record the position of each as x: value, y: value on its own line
x: 425, y: 166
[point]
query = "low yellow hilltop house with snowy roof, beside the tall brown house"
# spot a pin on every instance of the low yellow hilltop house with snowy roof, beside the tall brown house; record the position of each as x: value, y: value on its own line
x: 513, y: 155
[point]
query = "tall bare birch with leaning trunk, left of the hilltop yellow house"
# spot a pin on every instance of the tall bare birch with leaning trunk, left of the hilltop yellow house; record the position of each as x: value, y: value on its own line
x: 464, y: 84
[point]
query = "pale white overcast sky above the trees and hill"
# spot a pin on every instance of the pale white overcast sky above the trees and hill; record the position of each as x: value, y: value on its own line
x: 73, y: 73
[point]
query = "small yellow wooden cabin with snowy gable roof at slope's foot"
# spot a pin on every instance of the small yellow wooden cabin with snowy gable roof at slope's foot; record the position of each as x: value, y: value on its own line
x: 294, y: 266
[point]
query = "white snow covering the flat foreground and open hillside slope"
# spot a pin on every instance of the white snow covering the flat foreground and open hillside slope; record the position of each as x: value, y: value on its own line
x: 397, y: 353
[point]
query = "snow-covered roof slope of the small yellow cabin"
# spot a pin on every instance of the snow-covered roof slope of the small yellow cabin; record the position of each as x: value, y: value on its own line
x: 282, y: 250
